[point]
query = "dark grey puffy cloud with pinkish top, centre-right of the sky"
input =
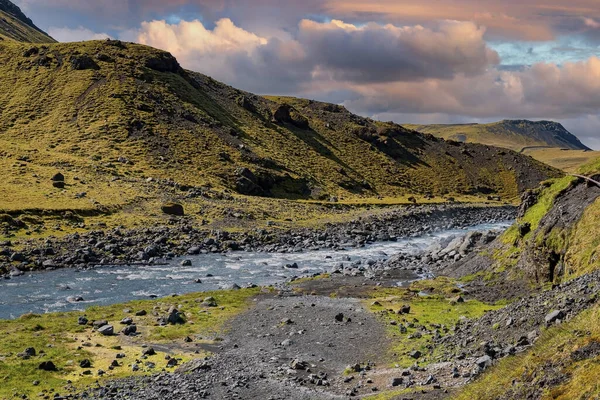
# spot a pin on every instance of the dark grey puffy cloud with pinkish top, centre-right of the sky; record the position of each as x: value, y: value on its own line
x: 388, y: 53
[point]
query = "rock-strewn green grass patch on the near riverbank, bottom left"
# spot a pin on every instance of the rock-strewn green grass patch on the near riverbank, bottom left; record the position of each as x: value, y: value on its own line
x: 63, y: 341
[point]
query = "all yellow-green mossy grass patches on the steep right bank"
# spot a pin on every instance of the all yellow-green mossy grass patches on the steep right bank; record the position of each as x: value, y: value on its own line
x: 550, y: 364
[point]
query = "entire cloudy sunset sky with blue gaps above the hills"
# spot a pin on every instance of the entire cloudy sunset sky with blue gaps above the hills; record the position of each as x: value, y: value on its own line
x: 425, y: 61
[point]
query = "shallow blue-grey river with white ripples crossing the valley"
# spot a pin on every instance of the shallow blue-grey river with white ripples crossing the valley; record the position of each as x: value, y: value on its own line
x: 50, y: 291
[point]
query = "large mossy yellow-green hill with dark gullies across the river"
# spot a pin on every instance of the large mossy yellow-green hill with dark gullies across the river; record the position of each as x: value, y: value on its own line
x: 188, y: 128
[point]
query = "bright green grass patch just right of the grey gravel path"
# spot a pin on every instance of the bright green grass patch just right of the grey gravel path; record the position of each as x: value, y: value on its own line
x: 426, y: 311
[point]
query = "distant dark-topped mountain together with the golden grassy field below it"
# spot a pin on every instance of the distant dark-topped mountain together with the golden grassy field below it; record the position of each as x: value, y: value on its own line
x: 564, y: 153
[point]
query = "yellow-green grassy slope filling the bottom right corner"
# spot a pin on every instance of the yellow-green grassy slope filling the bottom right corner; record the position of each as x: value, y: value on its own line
x: 553, y: 349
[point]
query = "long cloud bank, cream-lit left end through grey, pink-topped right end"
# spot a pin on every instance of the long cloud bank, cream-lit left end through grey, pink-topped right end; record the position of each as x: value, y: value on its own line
x: 334, y: 51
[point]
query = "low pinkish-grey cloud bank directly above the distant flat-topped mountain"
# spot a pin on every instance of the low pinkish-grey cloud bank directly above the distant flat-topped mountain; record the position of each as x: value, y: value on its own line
x: 540, y: 91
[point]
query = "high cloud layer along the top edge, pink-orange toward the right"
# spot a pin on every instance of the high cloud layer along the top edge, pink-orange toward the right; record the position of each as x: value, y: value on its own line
x: 537, y: 20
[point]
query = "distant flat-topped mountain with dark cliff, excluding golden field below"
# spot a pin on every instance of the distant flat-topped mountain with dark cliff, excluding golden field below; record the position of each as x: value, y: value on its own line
x: 511, y: 134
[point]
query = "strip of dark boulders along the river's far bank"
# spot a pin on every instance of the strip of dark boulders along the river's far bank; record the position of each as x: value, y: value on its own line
x: 153, y: 245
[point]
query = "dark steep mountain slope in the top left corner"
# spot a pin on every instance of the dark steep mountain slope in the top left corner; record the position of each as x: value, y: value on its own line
x: 14, y: 25
